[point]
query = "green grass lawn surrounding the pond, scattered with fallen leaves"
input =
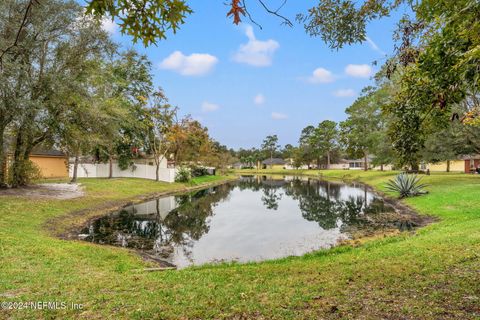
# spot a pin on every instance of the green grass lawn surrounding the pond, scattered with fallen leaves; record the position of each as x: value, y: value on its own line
x: 431, y: 274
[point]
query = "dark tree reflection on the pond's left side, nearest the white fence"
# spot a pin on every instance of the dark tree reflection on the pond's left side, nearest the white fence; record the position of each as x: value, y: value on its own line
x: 183, y: 225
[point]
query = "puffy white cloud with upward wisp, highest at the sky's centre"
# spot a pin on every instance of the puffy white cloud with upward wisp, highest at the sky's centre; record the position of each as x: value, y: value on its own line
x: 256, y: 52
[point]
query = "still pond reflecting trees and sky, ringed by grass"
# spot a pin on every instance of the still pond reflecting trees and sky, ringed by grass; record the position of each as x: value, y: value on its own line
x: 252, y: 219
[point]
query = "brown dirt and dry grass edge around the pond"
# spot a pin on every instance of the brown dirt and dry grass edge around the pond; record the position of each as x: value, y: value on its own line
x: 66, y: 227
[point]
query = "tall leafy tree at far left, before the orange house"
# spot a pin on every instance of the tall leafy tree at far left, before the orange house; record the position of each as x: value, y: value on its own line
x: 55, y: 44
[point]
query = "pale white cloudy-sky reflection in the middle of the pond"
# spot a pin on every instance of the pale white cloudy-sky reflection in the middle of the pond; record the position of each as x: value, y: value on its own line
x: 243, y: 231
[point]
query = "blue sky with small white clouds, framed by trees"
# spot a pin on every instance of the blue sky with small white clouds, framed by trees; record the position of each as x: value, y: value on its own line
x: 245, y: 83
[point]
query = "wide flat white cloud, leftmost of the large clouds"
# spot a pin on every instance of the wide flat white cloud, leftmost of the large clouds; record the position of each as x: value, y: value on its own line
x: 196, y: 64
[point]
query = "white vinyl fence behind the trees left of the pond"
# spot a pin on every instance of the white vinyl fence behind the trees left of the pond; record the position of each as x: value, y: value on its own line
x: 101, y: 170
